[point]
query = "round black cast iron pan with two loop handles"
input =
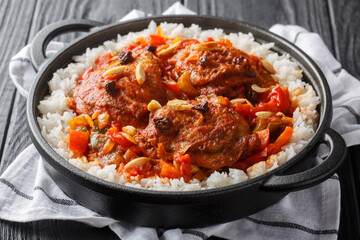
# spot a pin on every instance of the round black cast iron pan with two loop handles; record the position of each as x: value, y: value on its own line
x: 192, y: 208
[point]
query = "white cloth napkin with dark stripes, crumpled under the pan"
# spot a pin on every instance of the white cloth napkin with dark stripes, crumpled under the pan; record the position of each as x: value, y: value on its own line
x: 29, y: 194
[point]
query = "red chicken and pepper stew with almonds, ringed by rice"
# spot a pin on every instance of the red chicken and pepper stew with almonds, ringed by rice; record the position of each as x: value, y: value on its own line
x: 223, y: 121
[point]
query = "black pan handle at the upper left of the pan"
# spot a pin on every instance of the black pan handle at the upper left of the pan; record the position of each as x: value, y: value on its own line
x: 42, y: 38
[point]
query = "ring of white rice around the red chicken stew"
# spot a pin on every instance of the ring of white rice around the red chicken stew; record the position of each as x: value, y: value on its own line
x: 55, y: 112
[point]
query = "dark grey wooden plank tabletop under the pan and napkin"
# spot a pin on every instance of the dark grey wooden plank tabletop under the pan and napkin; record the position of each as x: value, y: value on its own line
x: 337, y: 22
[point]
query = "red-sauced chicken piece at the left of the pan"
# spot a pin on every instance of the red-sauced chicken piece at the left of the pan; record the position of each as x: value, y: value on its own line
x: 120, y: 94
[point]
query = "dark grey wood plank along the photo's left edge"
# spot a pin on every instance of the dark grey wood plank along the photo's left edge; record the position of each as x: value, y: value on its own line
x: 15, y: 21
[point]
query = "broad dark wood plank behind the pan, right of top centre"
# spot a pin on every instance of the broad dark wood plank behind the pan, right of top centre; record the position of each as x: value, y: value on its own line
x: 312, y: 15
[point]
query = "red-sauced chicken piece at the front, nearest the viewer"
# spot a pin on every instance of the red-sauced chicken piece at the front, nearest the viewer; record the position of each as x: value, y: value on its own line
x: 212, y: 134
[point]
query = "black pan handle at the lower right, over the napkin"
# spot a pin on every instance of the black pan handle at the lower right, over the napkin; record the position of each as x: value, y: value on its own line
x: 315, y: 175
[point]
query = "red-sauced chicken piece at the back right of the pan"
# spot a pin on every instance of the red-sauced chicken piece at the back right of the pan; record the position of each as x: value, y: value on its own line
x: 221, y: 71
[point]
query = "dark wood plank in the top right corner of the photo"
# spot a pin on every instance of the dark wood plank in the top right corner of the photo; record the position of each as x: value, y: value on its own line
x: 346, y: 22
